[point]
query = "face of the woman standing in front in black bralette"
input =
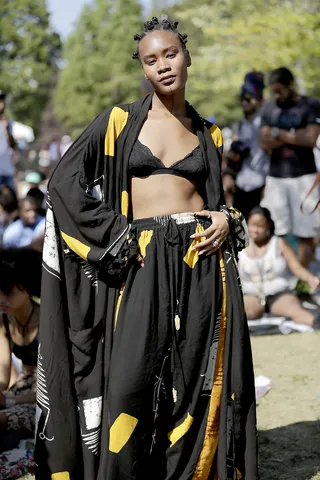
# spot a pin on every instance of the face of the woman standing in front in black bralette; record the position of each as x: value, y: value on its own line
x: 164, y: 61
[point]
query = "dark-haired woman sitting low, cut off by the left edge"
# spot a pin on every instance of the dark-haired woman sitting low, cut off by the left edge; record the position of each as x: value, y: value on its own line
x: 20, y: 272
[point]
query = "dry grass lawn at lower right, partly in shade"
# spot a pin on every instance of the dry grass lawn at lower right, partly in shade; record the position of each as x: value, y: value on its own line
x: 288, y: 416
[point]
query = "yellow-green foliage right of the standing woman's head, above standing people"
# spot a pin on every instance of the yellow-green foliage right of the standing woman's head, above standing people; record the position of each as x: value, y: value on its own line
x: 229, y: 38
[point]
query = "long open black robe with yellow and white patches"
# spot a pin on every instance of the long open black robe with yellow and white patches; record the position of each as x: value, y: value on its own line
x: 88, y: 218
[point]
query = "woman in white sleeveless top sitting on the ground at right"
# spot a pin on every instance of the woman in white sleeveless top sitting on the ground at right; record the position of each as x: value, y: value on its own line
x: 266, y: 269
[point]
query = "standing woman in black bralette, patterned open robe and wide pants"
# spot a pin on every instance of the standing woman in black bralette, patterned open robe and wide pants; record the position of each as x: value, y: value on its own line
x: 147, y: 369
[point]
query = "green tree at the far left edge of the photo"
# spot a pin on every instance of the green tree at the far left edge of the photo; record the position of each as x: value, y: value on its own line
x: 29, y: 49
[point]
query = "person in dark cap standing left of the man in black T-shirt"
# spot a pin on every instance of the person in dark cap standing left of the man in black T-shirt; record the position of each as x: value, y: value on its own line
x: 248, y: 164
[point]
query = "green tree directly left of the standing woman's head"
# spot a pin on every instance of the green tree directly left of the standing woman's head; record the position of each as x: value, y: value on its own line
x: 99, y: 70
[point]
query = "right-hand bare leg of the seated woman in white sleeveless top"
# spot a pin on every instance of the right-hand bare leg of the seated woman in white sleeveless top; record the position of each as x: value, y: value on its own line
x: 289, y: 306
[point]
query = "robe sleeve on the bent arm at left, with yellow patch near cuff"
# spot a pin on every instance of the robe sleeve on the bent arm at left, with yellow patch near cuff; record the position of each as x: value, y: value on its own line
x: 87, y: 224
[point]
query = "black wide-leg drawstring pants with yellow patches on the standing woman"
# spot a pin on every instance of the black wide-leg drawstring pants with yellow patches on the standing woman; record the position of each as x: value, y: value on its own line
x: 163, y: 354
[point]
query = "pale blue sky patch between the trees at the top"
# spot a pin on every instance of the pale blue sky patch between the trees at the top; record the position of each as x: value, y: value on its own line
x: 65, y: 12
